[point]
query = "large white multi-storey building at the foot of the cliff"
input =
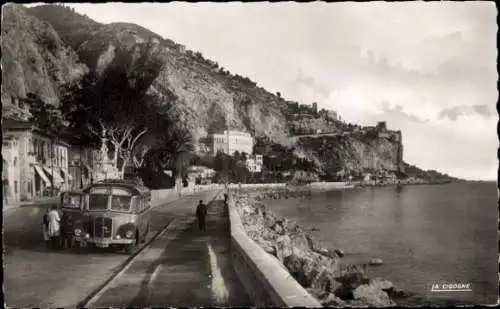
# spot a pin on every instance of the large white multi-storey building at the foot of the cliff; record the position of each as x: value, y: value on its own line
x: 231, y: 141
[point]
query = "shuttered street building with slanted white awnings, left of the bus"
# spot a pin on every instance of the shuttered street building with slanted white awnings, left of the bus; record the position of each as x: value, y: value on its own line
x: 43, y: 160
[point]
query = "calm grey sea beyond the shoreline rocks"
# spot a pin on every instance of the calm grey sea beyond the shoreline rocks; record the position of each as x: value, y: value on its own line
x: 424, y: 234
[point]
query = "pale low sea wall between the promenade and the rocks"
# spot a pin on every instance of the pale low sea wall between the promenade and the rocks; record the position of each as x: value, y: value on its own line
x: 284, y: 290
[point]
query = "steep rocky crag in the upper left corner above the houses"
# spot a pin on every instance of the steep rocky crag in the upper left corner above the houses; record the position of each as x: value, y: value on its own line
x: 34, y: 58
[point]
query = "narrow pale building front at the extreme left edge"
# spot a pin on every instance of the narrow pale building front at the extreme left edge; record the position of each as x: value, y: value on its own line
x: 11, y: 172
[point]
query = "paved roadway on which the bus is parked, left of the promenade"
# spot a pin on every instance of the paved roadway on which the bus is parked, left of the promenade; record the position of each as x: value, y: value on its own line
x: 37, y: 277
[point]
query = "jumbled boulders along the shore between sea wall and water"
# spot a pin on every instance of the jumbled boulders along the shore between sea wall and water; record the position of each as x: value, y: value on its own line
x: 319, y: 270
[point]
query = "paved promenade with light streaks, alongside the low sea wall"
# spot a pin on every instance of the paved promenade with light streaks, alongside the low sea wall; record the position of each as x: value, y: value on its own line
x: 184, y: 267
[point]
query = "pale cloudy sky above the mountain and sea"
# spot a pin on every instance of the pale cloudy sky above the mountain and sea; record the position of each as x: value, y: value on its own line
x: 427, y: 68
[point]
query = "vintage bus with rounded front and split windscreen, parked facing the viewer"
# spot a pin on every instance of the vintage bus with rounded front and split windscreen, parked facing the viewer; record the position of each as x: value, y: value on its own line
x: 114, y: 213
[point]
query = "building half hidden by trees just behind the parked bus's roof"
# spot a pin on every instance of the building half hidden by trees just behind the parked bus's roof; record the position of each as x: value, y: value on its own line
x: 82, y: 165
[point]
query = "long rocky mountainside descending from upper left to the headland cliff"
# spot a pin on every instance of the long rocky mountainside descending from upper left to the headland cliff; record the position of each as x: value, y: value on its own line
x: 49, y: 45
